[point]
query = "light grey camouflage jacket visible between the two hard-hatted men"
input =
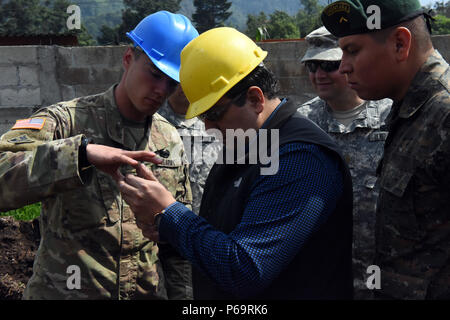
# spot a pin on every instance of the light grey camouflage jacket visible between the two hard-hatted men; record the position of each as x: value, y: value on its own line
x: 201, y: 150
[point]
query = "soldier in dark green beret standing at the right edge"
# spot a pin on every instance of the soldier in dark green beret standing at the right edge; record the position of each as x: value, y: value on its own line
x: 387, y: 52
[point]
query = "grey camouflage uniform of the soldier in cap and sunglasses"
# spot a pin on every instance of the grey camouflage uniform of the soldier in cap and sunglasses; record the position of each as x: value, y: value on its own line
x: 361, y: 143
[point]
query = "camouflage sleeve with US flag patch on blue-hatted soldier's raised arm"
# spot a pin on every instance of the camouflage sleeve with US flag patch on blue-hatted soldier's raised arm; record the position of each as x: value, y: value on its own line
x: 38, y: 158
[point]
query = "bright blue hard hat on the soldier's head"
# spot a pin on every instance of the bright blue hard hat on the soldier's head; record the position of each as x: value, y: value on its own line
x: 162, y: 36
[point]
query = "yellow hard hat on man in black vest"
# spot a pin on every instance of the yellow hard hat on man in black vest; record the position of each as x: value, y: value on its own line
x: 213, y: 63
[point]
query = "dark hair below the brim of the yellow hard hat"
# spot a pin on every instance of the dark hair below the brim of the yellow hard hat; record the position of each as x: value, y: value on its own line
x: 260, y: 77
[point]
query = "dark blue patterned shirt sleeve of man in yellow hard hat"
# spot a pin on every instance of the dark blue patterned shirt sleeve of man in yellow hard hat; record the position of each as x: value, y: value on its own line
x: 282, y: 213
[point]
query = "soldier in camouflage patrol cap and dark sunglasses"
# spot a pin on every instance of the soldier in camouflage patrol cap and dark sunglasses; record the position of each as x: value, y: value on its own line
x: 358, y: 128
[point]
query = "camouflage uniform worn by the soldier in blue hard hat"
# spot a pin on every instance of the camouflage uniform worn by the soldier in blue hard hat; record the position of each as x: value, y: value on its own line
x: 84, y: 222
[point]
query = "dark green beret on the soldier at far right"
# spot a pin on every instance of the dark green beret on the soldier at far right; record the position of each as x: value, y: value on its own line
x: 348, y: 17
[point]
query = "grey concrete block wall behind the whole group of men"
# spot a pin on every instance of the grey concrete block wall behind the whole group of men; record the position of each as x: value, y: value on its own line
x: 37, y: 76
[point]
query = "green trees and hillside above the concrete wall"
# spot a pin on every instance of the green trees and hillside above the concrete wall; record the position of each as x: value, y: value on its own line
x: 106, y: 21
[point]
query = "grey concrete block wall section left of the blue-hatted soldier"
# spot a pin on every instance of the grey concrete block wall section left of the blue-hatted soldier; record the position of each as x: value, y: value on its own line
x: 35, y: 76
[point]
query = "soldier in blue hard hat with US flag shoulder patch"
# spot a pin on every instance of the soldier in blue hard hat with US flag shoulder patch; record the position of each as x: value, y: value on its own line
x: 91, y: 247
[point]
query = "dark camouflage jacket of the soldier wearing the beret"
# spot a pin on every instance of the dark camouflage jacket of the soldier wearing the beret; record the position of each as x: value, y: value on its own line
x: 413, y: 226
